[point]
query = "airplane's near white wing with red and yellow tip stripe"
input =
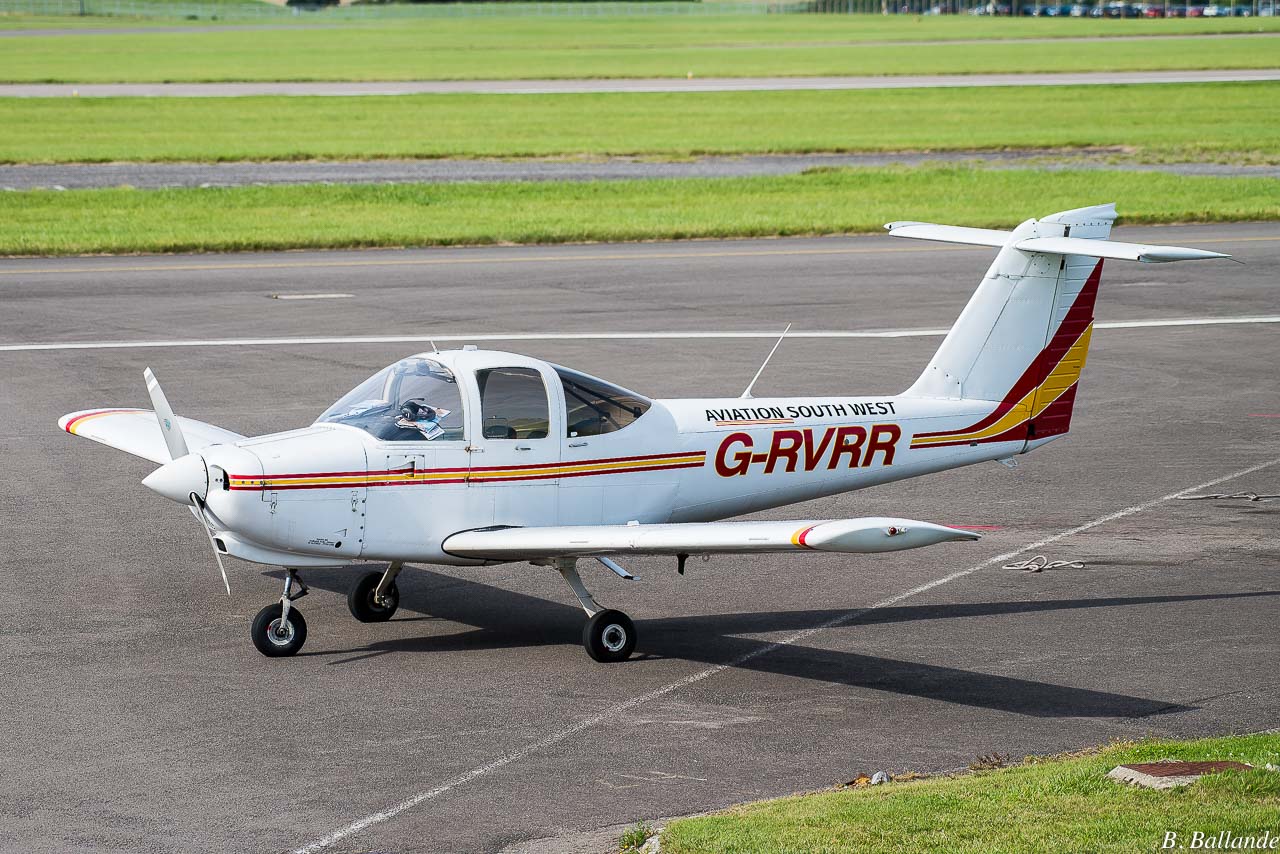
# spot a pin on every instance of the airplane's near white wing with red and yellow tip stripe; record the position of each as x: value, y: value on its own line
x: 849, y: 536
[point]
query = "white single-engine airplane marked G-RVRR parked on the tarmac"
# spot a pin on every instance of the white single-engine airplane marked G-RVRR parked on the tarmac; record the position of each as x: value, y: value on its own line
x: 472, y: 458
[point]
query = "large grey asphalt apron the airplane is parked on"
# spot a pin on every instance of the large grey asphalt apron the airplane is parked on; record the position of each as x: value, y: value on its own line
x: 140, y: 718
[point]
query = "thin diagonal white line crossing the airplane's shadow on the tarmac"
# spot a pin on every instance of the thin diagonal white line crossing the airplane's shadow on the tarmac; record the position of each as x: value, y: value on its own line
x: 849, y: 616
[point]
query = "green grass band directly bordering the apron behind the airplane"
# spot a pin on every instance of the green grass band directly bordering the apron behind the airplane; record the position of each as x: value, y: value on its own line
x: 845, y: 202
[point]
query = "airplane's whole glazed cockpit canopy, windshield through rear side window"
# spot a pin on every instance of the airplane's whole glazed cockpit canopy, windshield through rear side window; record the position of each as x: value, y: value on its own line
x: 419, y: 399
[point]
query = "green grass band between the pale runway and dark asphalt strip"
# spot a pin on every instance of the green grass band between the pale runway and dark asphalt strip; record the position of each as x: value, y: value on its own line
x: 1201, y: 122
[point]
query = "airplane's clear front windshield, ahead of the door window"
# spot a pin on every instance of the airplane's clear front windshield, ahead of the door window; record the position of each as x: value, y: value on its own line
x: 414, y: 400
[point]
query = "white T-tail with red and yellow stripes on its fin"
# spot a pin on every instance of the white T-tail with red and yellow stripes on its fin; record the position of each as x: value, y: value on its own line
x: 1022, y: 341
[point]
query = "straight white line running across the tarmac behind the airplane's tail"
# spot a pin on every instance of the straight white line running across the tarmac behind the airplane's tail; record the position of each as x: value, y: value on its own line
x: 587, y: 336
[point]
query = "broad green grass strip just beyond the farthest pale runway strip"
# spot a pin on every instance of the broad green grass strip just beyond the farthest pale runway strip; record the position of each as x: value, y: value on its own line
x: 621, y: 47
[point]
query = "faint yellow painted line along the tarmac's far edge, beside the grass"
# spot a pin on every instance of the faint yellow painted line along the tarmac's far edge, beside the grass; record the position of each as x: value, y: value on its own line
x: 519, y: 259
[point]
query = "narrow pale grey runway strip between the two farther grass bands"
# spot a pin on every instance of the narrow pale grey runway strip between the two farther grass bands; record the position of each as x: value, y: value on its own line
x: 627, y: 85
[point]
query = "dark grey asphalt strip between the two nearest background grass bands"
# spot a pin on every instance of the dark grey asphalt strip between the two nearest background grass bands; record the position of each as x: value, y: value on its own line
x: 153, y: 176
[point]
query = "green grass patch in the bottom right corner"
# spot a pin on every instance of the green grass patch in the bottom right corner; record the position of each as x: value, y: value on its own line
x: 1045, y: 806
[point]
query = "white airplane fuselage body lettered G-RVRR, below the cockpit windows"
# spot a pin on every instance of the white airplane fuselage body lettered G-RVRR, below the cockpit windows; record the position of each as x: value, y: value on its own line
x: 332, y: 494
